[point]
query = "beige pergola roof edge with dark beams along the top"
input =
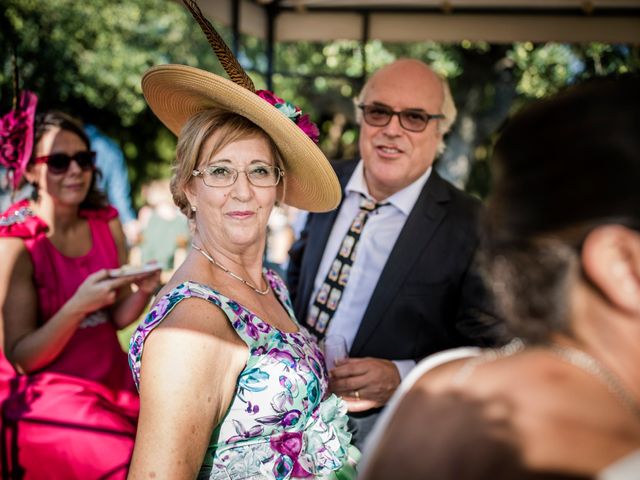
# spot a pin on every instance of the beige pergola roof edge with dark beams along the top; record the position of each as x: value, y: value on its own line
x: 494, y: 21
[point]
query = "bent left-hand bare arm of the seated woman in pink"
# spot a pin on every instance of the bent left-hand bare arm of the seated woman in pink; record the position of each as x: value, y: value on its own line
x: 27, y: 346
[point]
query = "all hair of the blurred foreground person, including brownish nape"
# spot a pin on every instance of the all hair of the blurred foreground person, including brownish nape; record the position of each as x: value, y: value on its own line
x: 561, y: 167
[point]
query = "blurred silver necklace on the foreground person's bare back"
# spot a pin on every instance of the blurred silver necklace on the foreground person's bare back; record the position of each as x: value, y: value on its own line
x: 595, y: 368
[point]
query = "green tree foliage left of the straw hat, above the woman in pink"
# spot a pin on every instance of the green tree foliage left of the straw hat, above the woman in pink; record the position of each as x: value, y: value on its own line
x: 87, y: 58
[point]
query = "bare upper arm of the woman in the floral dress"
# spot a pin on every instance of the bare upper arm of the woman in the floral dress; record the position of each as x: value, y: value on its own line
x: 190, y: 367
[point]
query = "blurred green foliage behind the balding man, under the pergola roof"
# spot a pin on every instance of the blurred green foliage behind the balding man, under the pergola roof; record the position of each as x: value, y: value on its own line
x: 488, y: 83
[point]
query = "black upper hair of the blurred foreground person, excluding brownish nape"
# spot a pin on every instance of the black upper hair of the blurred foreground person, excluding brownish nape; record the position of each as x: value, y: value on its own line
x: 572, y: 158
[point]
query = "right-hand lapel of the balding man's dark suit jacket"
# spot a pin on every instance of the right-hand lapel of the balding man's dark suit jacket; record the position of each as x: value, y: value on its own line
x: 422, y: 223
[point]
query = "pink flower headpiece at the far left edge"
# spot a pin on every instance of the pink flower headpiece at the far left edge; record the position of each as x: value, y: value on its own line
x: 16, y: 136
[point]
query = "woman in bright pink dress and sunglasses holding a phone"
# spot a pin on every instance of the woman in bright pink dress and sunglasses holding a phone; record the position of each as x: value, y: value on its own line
x: 69, y: 407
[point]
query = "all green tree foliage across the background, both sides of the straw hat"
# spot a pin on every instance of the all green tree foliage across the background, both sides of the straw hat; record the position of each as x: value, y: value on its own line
x: 87, y: 58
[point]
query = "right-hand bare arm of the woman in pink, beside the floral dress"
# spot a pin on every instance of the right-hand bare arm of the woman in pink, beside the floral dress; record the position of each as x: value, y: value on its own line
x: 130, y: 304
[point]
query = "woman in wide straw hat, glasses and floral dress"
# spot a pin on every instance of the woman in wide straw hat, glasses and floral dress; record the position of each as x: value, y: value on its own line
x: 230, y: 385
